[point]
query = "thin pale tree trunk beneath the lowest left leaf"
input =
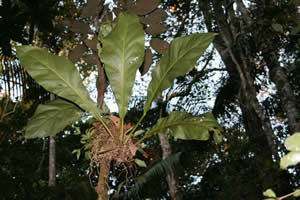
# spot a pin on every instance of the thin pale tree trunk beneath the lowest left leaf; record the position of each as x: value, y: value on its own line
x: 52, y: 169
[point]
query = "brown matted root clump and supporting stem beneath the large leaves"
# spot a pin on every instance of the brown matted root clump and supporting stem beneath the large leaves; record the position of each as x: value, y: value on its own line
x: 106, y: 149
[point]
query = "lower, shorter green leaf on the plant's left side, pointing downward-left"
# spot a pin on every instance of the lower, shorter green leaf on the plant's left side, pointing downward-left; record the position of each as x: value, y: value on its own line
x: 52, y: 118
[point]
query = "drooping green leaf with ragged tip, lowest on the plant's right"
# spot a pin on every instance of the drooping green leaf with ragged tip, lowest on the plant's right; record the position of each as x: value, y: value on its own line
x: 184, y: 126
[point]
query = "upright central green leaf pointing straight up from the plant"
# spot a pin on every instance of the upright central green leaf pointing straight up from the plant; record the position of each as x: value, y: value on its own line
x: 123, y: 54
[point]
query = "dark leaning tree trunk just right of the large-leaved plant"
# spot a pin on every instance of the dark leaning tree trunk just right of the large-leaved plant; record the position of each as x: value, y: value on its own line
x: 235, y: 50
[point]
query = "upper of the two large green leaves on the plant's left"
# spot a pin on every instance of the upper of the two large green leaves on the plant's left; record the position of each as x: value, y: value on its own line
x: 58, y: 75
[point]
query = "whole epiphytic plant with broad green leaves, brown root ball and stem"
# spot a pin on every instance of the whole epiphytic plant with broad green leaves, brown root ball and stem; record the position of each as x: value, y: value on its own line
x: 122, y: 54
